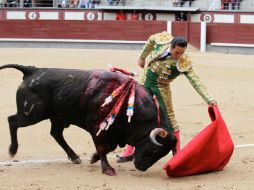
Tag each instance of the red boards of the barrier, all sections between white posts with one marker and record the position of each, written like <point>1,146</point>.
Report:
<point>124,30</point>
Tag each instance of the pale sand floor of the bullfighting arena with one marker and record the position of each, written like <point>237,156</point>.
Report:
<point>42,165</point>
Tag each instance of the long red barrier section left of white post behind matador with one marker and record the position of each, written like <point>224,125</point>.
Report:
<point>95,30</point>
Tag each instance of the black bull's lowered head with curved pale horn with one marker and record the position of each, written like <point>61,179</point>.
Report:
<point>154,148</point>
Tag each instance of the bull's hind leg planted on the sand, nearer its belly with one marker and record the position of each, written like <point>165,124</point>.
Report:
<point>57,128</point>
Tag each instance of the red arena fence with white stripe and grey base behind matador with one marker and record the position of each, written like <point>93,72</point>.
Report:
<point>125,34</point>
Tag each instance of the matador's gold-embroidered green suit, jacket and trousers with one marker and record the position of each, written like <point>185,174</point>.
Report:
<point>159,73</point>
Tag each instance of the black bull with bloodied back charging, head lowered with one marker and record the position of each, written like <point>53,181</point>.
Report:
<point>67,96</point>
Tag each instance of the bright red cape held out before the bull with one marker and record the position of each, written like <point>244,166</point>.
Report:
<point>208,151</point>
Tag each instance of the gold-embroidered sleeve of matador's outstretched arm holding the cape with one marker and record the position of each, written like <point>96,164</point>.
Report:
<point>198,86</point>
